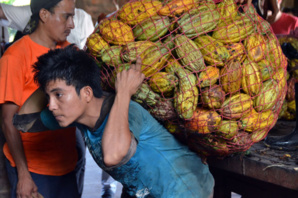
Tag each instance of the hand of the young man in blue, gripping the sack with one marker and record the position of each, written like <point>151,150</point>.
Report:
<point>128,81</point>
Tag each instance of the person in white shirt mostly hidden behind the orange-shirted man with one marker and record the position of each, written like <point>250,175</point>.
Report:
<point>17,17</point>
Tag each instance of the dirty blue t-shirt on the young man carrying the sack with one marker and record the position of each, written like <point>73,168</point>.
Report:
<point>161,166</point>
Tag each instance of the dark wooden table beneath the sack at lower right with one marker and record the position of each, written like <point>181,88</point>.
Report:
<point>263,172</point>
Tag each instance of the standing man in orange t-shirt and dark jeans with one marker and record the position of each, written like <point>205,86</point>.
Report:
<point>40,162</point>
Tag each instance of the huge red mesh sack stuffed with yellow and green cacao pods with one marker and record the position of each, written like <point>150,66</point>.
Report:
<point>215,76</point>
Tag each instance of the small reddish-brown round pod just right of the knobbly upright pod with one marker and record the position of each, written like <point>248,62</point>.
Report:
<point>213,97</point>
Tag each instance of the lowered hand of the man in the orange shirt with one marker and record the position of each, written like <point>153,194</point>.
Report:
<point>26,188</point>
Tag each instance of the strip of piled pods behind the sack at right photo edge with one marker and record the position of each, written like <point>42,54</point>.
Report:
<point>289,46</point>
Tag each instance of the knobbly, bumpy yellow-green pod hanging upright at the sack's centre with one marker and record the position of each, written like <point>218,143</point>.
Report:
<point>187,95</point>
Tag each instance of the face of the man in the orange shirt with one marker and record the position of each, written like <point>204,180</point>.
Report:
<point>60,21</point>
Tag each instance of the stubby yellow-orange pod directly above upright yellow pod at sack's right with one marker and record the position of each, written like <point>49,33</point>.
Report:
<point>255,46</point>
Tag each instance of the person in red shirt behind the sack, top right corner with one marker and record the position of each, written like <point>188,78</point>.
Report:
<point>281,23</point>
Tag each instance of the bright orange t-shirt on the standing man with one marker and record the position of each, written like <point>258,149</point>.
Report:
<point>48,153</point>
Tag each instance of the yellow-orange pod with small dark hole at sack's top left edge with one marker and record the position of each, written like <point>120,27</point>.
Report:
<point>135,12</point>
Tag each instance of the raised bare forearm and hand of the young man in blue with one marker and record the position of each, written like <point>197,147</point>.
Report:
<point>117,136</point>
